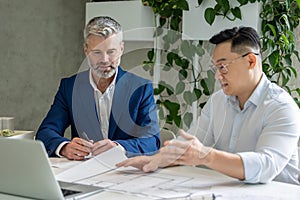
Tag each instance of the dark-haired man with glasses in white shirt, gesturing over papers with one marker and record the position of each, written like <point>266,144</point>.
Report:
<point>248,130</point>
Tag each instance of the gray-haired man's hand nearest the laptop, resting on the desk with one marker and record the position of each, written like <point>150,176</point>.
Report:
<point>76,149</point>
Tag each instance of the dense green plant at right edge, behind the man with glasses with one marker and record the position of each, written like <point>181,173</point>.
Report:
<point>279,19</point>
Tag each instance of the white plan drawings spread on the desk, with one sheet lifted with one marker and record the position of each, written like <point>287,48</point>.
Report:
<point>162,184</point>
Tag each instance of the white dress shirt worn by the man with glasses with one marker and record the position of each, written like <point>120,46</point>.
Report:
<point>265,133</point>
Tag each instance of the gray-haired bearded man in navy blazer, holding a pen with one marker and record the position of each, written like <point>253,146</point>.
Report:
<point>105,106</point>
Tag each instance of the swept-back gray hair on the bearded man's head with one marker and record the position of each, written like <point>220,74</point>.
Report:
<point>102,26</point>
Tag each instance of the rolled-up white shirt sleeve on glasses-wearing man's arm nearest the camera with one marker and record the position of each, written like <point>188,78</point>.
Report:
<point>275,147</point>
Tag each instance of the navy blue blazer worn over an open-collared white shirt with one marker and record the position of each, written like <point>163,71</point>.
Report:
<point>133,120</point>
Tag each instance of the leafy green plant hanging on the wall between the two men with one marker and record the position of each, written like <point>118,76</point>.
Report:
<point>177,99</point>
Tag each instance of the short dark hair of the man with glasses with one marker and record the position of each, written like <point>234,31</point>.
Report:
<point>241,38</point>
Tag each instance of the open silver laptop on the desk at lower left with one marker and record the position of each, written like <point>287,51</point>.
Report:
<point>25,171</point>
